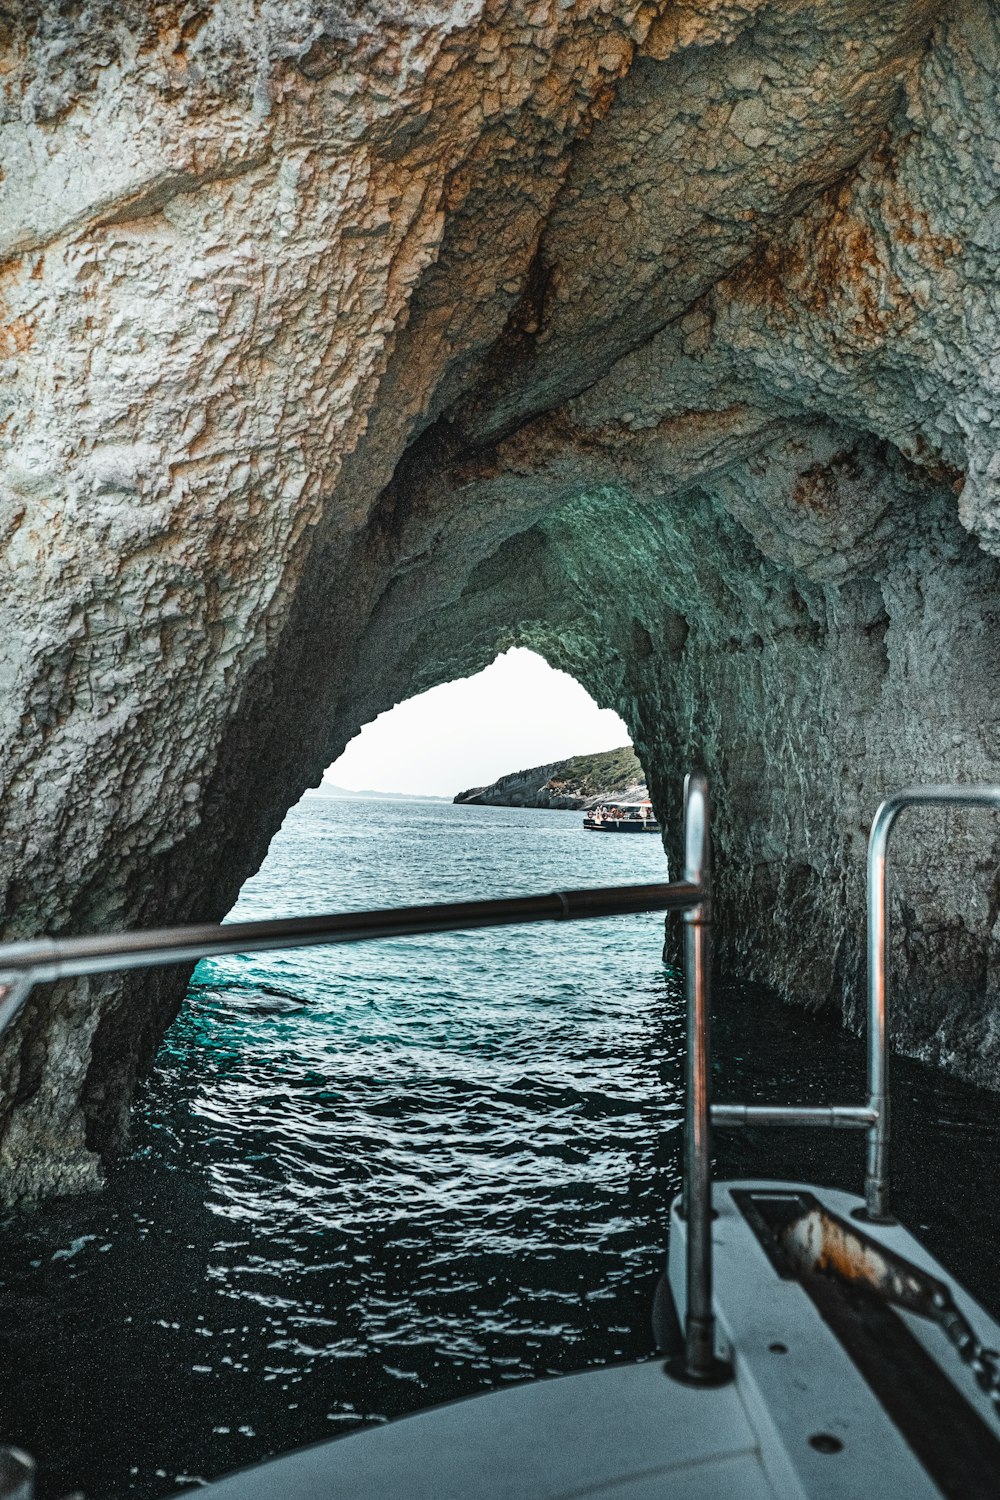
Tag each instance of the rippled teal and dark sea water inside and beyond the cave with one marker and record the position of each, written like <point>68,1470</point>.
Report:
<point>373,1178</point>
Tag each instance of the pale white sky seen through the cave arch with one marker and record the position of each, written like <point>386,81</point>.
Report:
<point>515,715</point>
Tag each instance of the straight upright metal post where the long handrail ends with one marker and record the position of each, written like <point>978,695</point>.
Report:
<point>698,1364</point>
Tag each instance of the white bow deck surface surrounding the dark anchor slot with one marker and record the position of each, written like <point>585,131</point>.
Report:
<point>798,1421</point>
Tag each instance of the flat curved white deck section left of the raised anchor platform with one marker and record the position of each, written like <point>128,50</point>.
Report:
<point>626,1433</point>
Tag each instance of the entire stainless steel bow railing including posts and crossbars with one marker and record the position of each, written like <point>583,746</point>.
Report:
<point>25,965</point>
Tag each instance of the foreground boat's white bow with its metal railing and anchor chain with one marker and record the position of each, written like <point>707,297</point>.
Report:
<point>809,1346</point>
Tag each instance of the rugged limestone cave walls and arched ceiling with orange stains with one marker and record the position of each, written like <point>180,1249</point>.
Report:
<point>347,344</point>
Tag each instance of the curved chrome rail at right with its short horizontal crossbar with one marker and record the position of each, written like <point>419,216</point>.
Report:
<point>875,1115</point>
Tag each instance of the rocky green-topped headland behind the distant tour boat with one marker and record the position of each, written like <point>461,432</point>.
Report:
<point>578,782</point>
